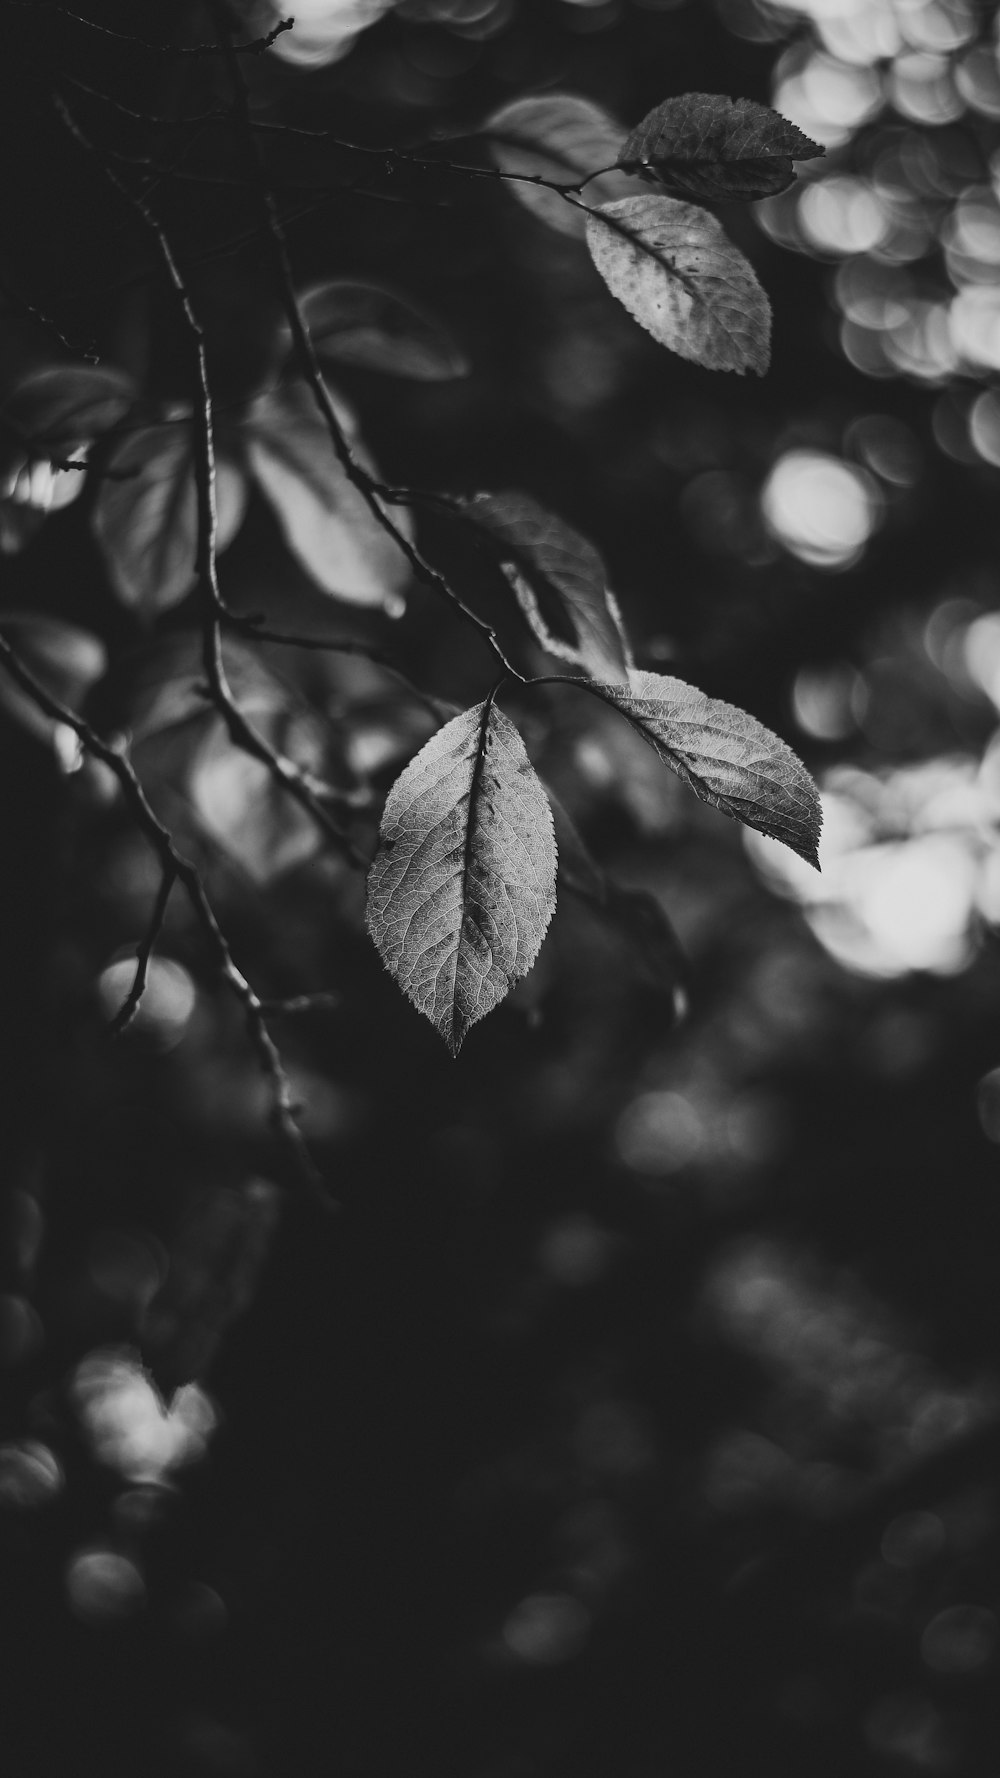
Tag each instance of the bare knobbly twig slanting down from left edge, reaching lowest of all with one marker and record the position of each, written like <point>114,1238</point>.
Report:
<point>175,863</point>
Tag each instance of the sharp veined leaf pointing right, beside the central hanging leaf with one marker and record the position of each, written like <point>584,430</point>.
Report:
<point>729,758</point>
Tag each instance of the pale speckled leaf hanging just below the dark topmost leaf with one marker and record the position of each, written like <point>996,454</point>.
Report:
<point>679,275</point>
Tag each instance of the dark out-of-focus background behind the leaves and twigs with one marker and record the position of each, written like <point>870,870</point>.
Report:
<point>641,1409</point>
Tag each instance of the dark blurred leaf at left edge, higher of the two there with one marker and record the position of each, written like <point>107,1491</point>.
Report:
<point>65,406</point>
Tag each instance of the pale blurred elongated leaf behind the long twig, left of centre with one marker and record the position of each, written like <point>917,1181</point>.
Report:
<point>327,522</point>
